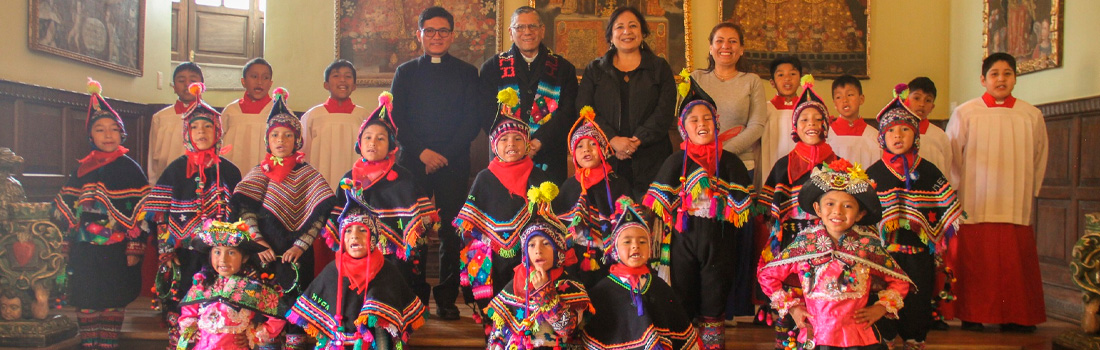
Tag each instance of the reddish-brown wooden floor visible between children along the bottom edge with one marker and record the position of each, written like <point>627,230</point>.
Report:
<point>144,331</point>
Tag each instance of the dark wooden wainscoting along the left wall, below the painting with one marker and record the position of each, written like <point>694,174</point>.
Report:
<point>46,127</point>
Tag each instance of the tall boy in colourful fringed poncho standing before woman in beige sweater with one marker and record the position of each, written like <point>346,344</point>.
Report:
<point>702,194</point>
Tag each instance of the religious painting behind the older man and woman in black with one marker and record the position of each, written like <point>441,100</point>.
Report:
<point>576,29</point>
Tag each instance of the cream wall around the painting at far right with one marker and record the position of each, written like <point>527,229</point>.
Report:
<point>1080,75</point>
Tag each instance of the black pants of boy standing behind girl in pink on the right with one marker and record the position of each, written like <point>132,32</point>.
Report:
<point>915,320</point>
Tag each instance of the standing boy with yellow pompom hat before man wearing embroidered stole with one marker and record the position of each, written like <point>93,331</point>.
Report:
<point>499,207</point>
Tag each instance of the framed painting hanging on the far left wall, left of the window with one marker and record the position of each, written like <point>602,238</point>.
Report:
<point>111,35</point>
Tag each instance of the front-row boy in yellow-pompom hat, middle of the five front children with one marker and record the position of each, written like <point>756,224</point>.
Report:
<point>542,305</point>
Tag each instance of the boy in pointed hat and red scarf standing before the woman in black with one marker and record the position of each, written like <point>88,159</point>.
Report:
<point>587,200</point>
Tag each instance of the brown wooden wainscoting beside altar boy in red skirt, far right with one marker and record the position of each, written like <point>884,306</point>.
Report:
<point>1071,190</point>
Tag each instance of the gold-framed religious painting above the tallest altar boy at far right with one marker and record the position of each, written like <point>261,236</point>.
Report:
<point>1029,30</point>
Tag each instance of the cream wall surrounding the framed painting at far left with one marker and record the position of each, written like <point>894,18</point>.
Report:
<point>21,64</point>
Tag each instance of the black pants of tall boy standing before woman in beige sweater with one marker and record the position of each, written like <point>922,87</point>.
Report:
<point>702,266</point>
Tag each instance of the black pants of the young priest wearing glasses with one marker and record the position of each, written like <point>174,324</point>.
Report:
<point>449,185</point>
